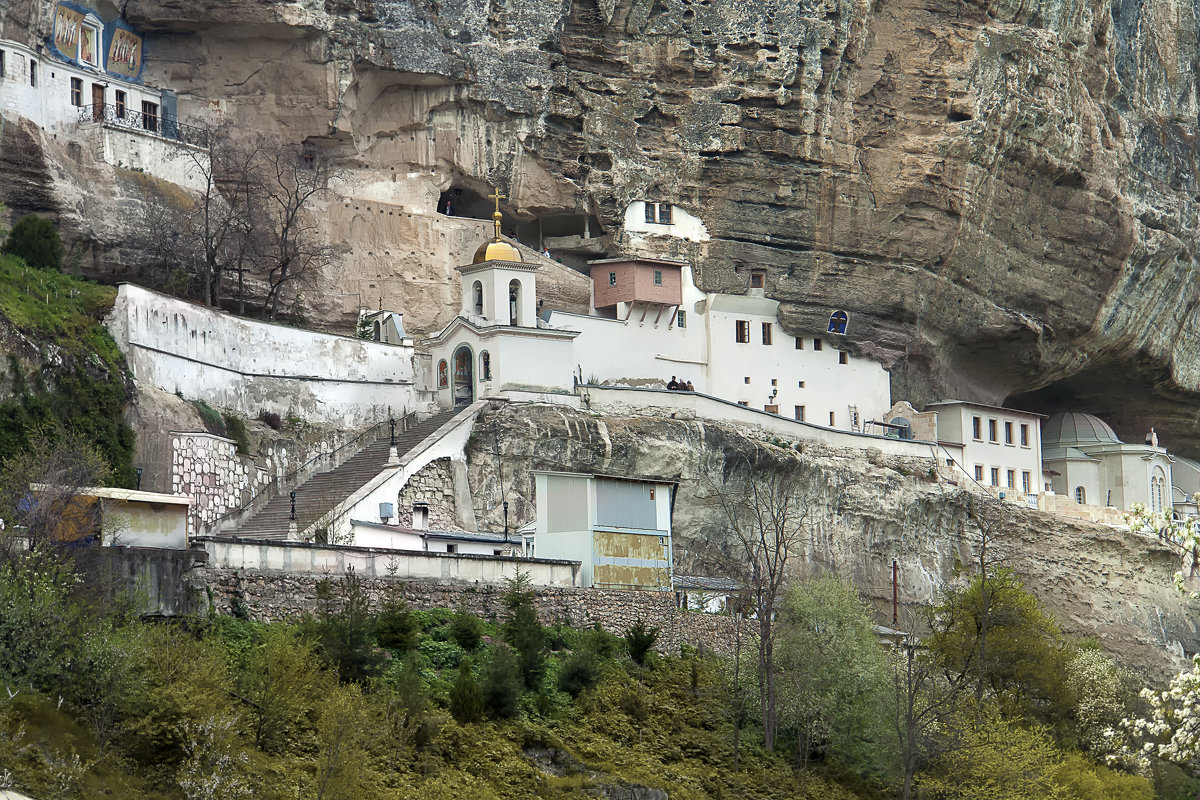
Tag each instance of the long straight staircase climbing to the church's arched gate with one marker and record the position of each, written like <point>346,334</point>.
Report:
<point>322,492</point>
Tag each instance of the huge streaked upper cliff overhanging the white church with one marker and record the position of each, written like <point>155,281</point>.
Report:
<point>1003,195</point>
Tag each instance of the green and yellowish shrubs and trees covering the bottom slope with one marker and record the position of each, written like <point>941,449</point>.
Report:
<point>379,701</point>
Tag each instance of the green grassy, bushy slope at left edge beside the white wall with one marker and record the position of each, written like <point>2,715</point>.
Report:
<point>79,386</point>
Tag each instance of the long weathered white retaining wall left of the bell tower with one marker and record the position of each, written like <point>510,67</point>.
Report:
<point>249,366</point>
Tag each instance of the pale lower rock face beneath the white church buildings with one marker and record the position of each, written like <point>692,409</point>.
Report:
<point>868,510</point>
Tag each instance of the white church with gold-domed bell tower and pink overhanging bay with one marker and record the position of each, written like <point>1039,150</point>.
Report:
<point>649,323</point>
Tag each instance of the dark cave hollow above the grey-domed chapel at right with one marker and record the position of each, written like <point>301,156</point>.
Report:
<point>1132,398</point>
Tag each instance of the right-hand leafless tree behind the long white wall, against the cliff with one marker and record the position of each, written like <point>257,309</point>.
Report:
<point>293,177</point>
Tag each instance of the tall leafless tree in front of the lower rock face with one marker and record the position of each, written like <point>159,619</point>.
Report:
<point>763,503</point>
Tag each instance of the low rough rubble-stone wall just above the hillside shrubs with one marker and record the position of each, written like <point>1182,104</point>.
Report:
<point>272,597</point>
